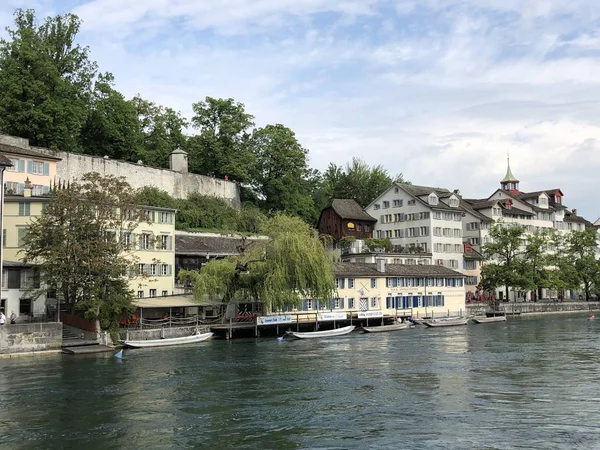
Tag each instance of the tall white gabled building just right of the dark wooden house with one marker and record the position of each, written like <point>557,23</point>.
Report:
<point>425,219</point>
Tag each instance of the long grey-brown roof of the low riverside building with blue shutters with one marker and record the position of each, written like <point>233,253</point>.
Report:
<point>397,270</point>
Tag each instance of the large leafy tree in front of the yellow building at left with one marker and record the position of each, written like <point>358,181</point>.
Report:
<point>80,246</point>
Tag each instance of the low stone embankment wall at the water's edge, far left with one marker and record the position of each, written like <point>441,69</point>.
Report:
<point>30,337</point>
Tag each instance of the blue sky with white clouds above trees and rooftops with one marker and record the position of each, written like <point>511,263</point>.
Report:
<point>438,90</point>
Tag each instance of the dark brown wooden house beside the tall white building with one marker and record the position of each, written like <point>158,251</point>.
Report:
<point>345,217</point>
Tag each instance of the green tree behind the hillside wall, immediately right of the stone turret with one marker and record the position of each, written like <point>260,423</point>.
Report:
<point>223,146</point>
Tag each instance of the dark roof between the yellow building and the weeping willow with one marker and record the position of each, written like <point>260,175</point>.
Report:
<point>212,244</point>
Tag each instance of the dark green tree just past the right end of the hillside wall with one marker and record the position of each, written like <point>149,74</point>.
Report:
<point>281,177</point>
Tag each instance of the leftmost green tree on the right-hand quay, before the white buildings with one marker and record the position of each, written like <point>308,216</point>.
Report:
<point>503,253</point>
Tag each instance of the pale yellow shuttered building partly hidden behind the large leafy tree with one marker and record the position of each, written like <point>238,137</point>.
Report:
<point>152,243</point>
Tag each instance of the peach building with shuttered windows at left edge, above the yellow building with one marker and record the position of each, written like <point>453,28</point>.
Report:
<point>28,164</point>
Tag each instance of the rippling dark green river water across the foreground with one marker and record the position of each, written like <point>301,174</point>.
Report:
<point>527,383</point>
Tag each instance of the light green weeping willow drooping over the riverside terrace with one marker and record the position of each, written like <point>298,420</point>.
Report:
<point>278,272</point>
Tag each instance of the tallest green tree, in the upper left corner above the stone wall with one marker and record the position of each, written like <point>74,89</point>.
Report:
<point>45,81</point>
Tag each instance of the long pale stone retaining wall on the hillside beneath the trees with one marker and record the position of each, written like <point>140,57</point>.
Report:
<point>177,184</point>
